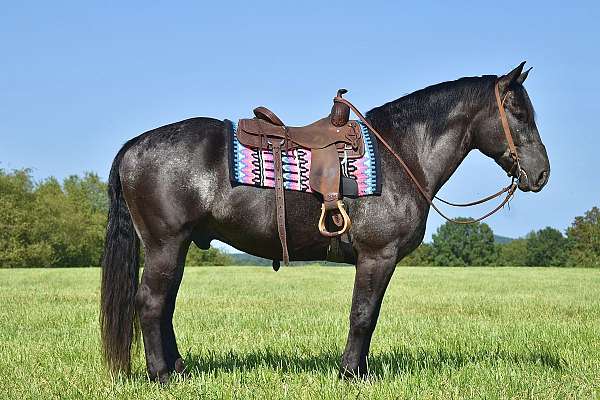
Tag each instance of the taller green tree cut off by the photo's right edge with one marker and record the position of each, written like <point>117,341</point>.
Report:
<point>584,240</point>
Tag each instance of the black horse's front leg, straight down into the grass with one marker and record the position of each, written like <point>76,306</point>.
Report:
<point>373,273</point>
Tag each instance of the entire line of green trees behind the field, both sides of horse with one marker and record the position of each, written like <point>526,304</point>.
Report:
<point>62,224</point>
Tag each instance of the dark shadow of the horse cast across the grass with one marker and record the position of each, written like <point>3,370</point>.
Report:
<point>399,361</point>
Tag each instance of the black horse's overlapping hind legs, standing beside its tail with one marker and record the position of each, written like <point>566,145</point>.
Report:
<point>155,303</point>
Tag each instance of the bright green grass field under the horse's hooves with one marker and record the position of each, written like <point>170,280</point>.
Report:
<point>253,333</point>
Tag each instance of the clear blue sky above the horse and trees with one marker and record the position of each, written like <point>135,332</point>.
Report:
<point>77,79</point>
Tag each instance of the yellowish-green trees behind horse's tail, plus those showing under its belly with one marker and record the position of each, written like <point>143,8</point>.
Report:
<point>61,224</point>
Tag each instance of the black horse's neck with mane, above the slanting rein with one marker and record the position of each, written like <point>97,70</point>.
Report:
<point>432,138</point>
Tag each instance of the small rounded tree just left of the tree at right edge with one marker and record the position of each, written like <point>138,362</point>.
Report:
<point>546,248</point>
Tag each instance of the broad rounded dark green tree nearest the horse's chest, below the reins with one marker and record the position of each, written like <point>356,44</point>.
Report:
<point>464,244</point>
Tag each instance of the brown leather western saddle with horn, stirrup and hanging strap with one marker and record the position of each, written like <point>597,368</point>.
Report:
<point>329,139</point>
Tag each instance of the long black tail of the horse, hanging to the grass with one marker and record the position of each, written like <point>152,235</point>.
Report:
<point>120,268</point>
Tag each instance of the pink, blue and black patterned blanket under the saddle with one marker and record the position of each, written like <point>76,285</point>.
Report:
<point>254,167</point>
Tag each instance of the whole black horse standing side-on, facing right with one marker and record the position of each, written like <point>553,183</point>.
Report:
<point>170,186</point>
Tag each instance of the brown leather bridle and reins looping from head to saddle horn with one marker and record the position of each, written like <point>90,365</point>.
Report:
<point>509,190</point>
